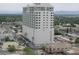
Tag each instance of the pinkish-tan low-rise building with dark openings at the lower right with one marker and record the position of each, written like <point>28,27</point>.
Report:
<point>58,47</point>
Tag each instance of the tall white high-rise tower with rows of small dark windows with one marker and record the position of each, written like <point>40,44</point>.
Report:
<point>38,21</point>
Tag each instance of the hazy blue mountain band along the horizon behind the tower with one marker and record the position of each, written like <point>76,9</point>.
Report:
<point>60,13</point>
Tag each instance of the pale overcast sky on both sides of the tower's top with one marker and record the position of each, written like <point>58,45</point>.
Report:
<point>17,7</point>
